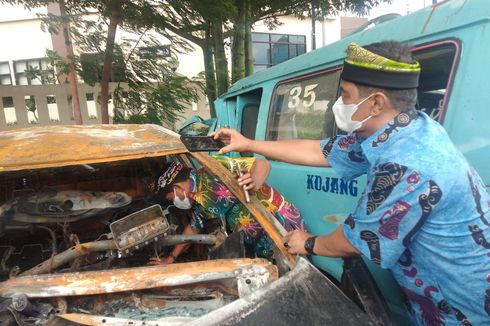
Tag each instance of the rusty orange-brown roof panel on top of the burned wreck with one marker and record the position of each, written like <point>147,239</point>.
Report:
<point>53,146</point>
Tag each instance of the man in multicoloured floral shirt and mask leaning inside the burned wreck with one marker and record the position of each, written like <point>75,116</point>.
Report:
<point>210,199</point>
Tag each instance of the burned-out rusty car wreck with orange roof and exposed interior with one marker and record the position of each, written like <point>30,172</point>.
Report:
<point>79,221</point>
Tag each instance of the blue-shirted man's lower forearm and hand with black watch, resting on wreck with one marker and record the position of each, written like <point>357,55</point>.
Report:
<point>334,244</point>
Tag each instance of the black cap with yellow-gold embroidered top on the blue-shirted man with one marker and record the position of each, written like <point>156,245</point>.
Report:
<point>367,68</point>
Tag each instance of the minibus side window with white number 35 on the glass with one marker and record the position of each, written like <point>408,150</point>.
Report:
<point>301,108</point>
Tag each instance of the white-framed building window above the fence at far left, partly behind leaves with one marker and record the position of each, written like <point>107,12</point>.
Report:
<point>33,72</point>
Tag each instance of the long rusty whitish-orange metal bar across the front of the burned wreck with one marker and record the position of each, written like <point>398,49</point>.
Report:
<point>138,278</point>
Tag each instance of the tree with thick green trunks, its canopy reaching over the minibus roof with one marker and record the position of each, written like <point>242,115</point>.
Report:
<point>207,23</point>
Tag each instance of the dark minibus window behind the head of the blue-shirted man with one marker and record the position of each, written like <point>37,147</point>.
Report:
<point>437,62</point>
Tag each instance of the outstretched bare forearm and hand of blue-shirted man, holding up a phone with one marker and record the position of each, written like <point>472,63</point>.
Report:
<point>304,152</point>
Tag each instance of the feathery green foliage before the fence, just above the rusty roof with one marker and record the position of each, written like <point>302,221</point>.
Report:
<point>155,93</point>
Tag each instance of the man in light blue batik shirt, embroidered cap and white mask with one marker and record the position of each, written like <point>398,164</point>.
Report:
<point>424,213</point>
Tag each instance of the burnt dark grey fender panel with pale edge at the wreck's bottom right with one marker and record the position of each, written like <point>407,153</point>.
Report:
<point>303,296</point>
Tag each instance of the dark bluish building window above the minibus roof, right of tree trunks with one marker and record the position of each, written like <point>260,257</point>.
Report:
<point>272,49</point>
